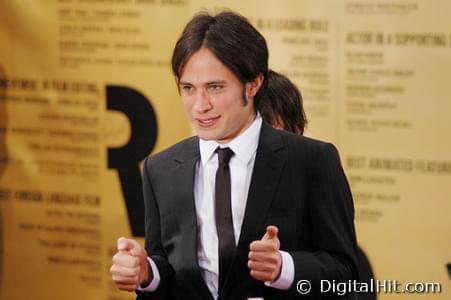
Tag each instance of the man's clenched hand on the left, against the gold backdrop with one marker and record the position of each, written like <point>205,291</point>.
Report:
<point>130,267</point>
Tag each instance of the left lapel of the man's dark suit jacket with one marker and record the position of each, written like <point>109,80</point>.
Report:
<point>184,174</point>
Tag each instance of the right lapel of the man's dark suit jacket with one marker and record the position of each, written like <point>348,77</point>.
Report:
<point>265,177</point>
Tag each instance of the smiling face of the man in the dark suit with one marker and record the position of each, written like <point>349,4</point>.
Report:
<point>213,98</point>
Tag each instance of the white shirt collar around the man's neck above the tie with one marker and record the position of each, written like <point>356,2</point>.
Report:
<point>244,145</point>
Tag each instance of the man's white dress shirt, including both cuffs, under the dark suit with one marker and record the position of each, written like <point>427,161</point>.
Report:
<point>241,165</point>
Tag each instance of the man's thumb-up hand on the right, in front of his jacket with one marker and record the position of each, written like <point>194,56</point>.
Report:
<point>265,261</point>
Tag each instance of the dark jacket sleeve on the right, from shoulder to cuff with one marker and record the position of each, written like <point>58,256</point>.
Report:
<point>331,211</point>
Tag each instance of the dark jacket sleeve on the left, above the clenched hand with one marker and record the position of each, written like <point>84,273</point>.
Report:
<point>153,242</point>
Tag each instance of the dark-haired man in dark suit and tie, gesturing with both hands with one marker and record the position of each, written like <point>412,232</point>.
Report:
<point>242,210</point>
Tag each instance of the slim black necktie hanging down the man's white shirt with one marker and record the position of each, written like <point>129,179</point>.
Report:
<point>223,214</point>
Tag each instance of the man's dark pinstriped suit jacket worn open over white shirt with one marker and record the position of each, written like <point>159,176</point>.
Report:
<point>297,184</point>
